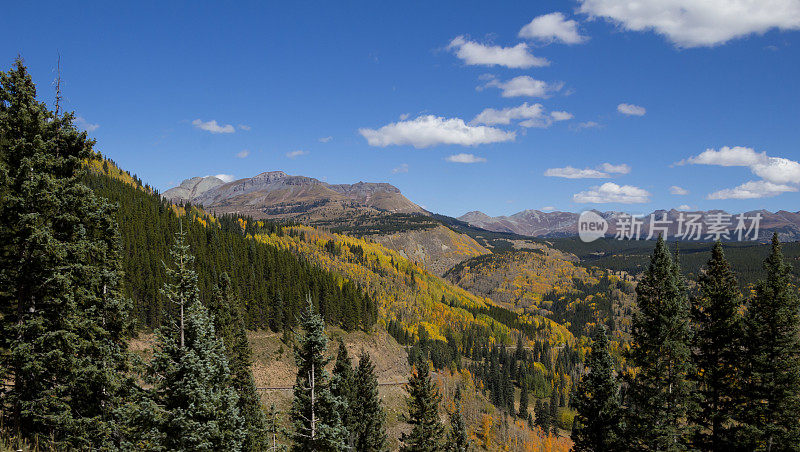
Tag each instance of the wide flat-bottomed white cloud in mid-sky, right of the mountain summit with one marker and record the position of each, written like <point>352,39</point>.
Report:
<point>429,130</point>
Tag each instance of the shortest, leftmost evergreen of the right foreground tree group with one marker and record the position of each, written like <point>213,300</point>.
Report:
<point>597,422</point>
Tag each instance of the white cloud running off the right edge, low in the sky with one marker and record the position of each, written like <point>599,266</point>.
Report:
<point>777,170</point>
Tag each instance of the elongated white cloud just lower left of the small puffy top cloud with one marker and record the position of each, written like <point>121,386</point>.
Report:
<point>477,54</point>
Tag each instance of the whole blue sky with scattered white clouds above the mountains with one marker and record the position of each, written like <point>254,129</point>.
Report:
<point>616,105</point>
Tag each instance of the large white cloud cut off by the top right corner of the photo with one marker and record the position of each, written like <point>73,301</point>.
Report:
<point>696,23</point>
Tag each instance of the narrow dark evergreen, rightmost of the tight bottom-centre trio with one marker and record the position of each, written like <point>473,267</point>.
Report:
<point>369,416</point>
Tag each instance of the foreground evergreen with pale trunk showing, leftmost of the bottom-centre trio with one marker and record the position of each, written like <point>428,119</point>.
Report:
<point>315,410</point>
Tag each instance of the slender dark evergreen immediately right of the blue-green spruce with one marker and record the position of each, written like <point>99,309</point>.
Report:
<point>229,325</point>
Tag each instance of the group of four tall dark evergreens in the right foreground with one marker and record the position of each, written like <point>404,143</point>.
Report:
<point>709,370</point>
